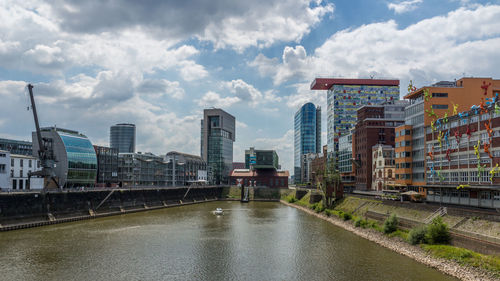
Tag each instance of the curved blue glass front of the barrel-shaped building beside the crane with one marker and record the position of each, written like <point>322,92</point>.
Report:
<point>82,160</point>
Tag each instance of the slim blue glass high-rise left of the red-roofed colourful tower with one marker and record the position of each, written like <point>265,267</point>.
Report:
<point>307,124</point>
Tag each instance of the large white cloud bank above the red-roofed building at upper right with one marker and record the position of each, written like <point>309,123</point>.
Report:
<point>438,48</point>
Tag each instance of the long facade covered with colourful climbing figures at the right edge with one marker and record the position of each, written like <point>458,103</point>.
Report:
<point>463,156</point>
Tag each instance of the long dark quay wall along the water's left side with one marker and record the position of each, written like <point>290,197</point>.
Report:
<point>31,209</point>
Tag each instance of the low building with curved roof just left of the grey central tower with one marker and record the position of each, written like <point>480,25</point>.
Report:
<point>194,169</point>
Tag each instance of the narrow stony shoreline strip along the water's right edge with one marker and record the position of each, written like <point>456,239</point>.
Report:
<point>446,266</point>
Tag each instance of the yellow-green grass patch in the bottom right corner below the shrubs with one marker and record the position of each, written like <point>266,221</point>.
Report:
<point>465,257</point>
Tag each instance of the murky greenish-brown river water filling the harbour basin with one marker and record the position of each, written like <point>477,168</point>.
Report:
<point>253,241</point>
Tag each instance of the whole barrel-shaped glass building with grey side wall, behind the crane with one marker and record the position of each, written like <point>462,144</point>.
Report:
<point>76,160</point>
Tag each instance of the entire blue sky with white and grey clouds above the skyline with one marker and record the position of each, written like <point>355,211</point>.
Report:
<point>158,64</point>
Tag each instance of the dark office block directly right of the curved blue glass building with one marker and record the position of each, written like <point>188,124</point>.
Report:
<point>107,166</point>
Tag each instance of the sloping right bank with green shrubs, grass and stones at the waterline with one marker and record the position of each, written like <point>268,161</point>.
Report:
<point>432,240</point>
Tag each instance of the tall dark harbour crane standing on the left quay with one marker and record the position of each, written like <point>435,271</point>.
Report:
<point>45,151</point>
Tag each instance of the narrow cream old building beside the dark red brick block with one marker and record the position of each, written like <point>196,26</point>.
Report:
<point>383,167</point>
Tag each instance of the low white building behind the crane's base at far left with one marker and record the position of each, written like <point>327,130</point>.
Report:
<point>20,166</point>
